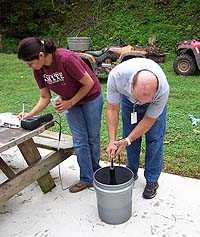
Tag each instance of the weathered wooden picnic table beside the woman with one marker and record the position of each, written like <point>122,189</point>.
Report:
<point>38,167</point>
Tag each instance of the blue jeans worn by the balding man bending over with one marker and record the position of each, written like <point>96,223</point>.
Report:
<point>154,139</point>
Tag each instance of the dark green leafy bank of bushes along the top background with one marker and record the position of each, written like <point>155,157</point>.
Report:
<point>104,21</point>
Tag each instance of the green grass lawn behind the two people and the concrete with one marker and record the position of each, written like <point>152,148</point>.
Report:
<point>182,141</point>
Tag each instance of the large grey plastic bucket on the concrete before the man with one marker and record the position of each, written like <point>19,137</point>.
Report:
<point>114,202</point>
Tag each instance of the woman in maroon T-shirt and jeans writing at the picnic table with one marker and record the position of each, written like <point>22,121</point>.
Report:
<point>63,72</point>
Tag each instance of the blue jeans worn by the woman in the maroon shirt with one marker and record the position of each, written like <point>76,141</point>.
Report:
<point>85,122</point>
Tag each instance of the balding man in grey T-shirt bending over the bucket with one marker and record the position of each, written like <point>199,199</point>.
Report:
<point>141,87</point>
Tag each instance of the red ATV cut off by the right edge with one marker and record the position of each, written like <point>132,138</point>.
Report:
<point>187,61</point>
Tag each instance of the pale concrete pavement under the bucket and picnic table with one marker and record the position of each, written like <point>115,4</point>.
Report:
<point>174,212</point>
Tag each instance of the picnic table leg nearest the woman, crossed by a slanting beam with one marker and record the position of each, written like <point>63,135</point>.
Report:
<point>31,155</point>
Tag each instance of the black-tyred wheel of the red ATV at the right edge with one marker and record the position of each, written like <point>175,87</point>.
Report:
<point>185,65</point>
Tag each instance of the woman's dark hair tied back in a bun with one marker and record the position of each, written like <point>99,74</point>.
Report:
<point>29,48</point>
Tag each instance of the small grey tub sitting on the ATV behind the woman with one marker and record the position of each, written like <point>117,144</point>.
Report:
<point>78,43</point>
